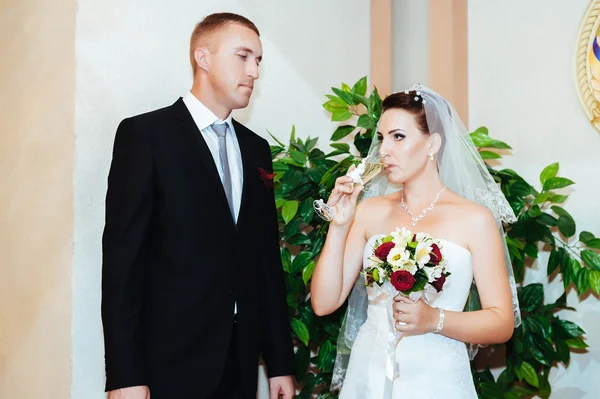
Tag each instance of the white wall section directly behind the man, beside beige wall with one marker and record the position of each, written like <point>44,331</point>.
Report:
<point>132,57</point>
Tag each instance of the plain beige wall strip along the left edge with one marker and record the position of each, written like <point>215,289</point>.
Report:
<point>37,76</point>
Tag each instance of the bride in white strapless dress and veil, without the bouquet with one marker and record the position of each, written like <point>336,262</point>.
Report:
<point>447,192</point>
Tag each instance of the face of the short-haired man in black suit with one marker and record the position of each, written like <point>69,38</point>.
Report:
<point>233,65</point>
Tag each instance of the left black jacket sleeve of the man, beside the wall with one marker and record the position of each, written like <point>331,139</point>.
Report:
<point>128,210</point>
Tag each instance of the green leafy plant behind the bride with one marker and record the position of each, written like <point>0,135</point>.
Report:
<point>304,173</point>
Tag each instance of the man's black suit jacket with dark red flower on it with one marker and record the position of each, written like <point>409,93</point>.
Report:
<point>175,262</point>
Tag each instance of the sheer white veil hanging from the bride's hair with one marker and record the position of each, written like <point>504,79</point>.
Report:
<point>463,171</point>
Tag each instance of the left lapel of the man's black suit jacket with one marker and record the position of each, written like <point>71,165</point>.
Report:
<point>198,150</point>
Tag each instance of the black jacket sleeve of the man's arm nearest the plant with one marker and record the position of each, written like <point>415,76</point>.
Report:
<point>277,347</point>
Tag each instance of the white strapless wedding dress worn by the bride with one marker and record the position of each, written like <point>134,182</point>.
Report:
<point>431,366</point>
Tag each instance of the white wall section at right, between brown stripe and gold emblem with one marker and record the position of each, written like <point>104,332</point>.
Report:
<point>522,86</point>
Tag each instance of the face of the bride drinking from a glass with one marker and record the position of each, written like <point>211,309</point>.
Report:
<point>404,148</point>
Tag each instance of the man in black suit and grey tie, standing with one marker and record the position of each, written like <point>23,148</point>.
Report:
<point>192,283</point>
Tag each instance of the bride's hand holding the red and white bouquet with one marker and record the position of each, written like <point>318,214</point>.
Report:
<point>414,318</point>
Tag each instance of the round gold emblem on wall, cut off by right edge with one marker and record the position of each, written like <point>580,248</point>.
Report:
<point>587,63</point>
